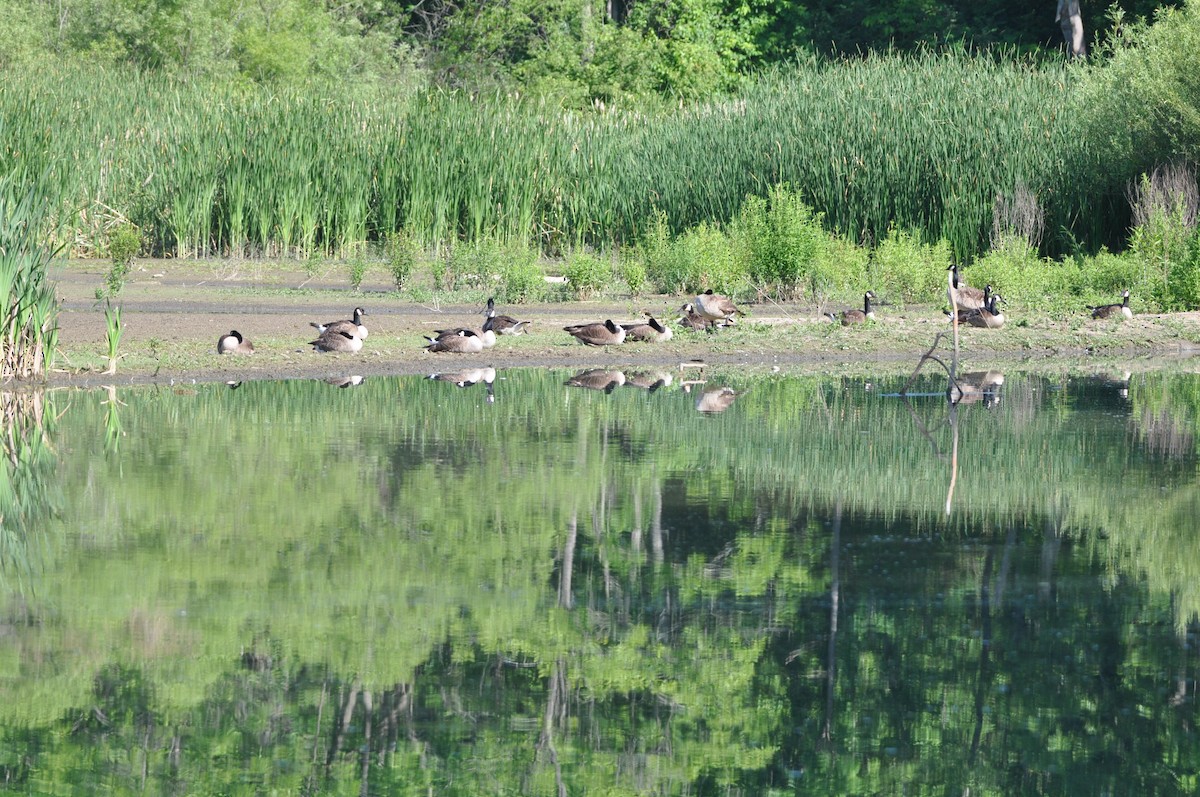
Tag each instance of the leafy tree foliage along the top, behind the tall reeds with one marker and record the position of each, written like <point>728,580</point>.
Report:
<point>577,51</point>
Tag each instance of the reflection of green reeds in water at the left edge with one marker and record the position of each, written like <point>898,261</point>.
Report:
<point>28,492</point>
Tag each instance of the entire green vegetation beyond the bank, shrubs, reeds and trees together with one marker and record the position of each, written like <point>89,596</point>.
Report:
<point>533,130</point>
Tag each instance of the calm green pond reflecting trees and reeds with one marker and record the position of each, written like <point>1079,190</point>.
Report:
<point>694,582</point>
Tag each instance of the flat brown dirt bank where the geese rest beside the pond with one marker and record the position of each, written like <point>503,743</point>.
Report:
<point>175,311</point>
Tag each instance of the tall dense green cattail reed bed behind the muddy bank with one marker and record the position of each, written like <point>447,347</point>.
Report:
<point>928,143</point>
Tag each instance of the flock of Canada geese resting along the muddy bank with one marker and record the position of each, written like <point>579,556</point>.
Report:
<point>709,311</point>
